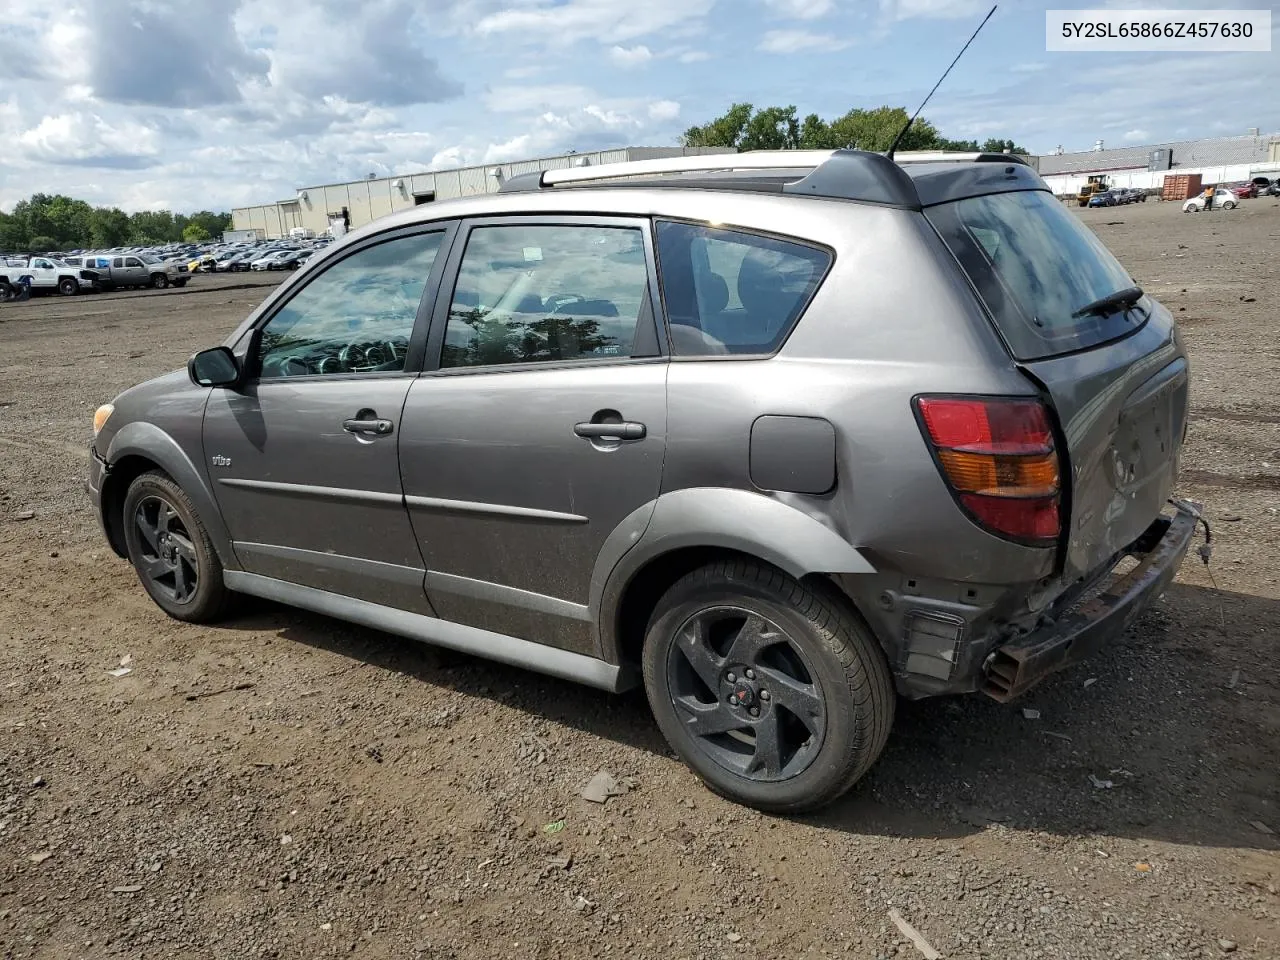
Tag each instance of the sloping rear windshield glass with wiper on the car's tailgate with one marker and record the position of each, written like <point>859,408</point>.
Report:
<point>1035,267</point>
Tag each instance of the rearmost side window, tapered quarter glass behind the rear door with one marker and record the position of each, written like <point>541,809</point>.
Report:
<point>734,292</point>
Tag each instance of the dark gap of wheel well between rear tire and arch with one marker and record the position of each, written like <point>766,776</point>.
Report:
<point>657,577</point>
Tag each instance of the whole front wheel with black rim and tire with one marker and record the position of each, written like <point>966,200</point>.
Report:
<point>171,551</point>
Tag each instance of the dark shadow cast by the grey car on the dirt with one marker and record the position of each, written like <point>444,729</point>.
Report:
<point>1172,734</point>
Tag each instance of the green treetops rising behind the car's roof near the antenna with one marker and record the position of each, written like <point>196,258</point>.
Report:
<point>746,127</point>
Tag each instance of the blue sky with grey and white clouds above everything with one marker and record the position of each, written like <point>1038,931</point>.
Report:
<point>223,103</point>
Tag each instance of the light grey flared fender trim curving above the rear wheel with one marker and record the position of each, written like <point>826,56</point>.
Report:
<point>712,516</point>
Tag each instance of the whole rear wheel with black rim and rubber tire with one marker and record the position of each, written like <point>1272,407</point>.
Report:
<point>776,696</point>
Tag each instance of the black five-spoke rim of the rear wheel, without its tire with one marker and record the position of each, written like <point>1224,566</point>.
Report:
<point>746,694</point>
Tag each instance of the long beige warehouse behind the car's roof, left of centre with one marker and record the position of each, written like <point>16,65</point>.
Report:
<point>355,204</point>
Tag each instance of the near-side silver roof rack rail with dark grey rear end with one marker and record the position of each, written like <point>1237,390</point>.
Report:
<point>838,175</point>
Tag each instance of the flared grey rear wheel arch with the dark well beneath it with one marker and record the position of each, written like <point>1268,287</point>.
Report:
<point>687,529</point>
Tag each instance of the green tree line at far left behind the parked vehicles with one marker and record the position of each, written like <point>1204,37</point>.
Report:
<point>47,223</point>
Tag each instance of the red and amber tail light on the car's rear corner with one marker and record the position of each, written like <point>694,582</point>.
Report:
<point>999,459</point>
